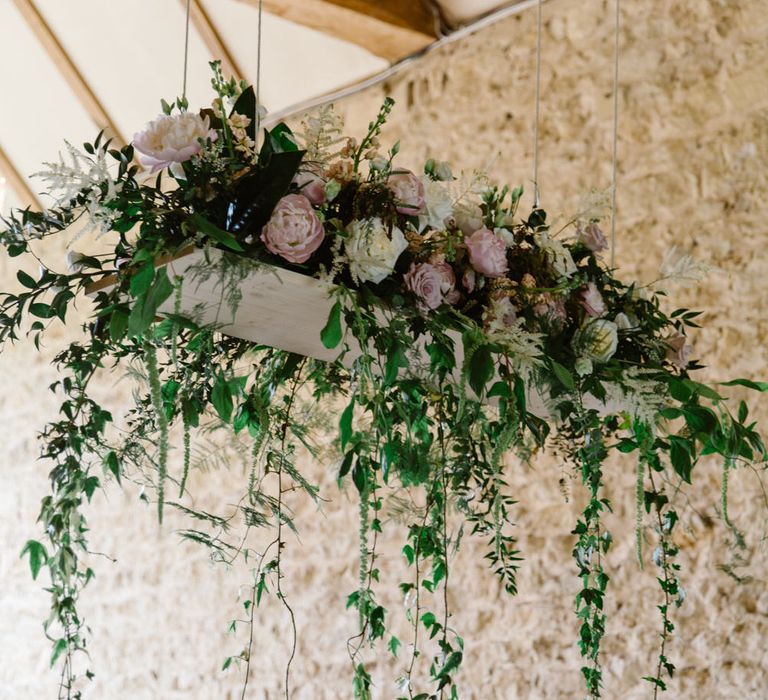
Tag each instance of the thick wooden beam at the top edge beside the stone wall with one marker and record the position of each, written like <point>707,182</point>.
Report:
<point>373,25</point>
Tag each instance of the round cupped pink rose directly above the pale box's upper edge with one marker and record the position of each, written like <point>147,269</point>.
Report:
<point>293,232</point>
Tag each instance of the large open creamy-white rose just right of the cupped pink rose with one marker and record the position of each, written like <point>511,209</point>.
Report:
<point>373,250</point>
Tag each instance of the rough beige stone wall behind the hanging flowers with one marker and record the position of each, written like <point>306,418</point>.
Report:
<point>693,164</point>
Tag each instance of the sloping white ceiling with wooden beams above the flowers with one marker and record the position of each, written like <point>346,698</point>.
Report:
<point>68,69</point>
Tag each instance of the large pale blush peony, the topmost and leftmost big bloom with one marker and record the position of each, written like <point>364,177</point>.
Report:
<point>170,140</point>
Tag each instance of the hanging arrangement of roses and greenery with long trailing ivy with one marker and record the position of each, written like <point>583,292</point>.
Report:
<point>466,338</point>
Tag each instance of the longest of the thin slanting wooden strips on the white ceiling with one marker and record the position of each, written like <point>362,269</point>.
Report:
<point>67,68</point>
